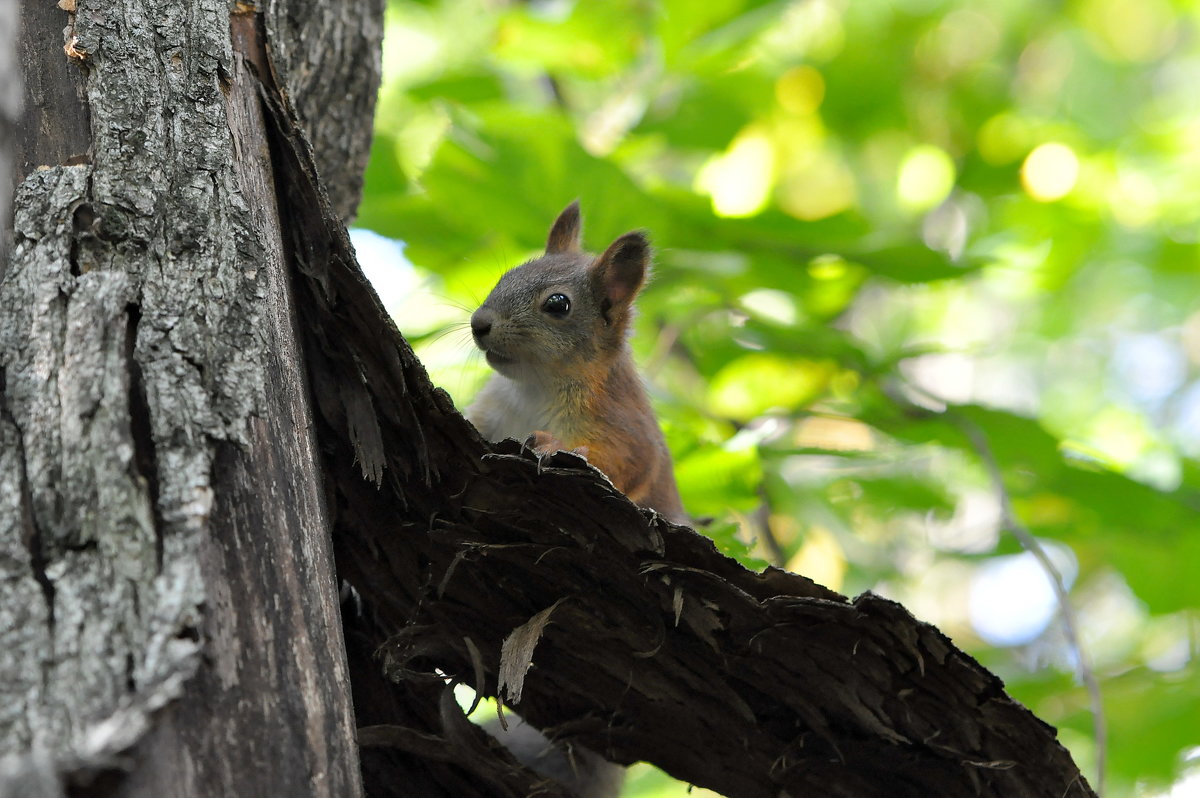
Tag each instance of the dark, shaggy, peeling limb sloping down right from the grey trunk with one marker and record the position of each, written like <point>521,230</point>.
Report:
<point>658,649</point>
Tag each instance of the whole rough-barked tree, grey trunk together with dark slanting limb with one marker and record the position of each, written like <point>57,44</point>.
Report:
<point>200,394</point>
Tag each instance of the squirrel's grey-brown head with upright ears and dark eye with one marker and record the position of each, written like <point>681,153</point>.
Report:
<point>566,309</point>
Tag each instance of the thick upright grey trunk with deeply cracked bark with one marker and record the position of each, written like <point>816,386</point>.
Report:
<point>170,610</point>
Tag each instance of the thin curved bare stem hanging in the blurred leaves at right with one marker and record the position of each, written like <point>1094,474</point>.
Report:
<point>1070,623</point>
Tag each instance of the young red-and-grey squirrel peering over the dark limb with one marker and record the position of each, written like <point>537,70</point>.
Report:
<point>556,332</point>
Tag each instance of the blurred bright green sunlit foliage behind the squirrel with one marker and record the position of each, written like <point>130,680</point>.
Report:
<point>877,223</point>
